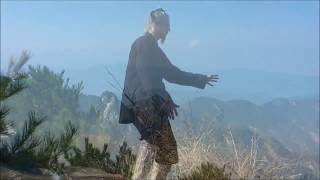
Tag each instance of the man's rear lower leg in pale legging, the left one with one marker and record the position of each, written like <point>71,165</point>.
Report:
<point>145,158</point>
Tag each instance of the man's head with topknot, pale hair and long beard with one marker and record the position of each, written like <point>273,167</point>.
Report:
<point>158,24</point>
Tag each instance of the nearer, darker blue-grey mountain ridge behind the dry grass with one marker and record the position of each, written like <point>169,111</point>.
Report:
<point>292,124</point>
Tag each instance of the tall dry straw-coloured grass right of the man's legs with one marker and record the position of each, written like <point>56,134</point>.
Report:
<point>199,146</point>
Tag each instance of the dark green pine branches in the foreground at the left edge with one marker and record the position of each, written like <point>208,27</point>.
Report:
<point>24,150</point>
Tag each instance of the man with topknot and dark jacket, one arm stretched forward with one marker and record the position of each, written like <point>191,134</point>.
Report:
<point>147,104</point>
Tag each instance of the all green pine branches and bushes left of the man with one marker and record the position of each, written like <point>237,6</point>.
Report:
<point>28,151</point>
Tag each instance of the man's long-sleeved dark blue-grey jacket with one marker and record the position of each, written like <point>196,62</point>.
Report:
<point>147,67</point>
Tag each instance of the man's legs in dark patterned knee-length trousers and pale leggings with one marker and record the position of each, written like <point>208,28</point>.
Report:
<point>158,136</point>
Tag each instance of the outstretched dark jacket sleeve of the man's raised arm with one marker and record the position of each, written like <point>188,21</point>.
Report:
<point>173,74</point>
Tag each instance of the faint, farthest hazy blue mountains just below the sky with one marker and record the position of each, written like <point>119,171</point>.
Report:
<point>257,86</point>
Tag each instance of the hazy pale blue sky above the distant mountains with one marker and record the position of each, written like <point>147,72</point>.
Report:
<point>269,36</point>
